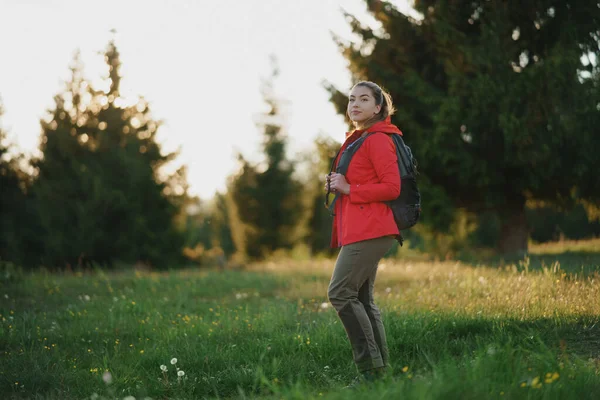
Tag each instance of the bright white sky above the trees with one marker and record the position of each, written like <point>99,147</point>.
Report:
<point>198,62</point>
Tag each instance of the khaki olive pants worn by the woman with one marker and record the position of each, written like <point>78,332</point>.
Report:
<point>351,294</point>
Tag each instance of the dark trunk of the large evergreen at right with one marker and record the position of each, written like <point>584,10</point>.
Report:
<point>514,234</point>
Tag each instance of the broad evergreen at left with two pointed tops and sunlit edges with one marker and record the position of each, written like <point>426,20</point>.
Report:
<point>99,191</point>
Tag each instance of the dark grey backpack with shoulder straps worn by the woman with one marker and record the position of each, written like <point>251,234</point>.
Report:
<point>406,207</point>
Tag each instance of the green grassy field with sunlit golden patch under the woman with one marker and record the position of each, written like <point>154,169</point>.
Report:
<point>456,330</point>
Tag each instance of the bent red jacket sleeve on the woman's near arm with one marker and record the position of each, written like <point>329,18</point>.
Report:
<point>382,153</point>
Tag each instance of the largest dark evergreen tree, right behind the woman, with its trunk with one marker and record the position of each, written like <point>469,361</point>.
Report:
<point>494,99</point>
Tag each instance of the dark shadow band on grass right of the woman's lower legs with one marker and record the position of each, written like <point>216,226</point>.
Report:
<point>414,335</point>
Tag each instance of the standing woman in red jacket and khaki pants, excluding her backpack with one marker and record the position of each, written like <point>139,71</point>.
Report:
<point>364,226</point>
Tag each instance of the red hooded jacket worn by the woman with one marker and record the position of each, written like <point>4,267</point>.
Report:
<point>374,178</point>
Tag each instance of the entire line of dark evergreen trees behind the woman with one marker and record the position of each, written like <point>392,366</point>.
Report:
<point>500,105</point>
